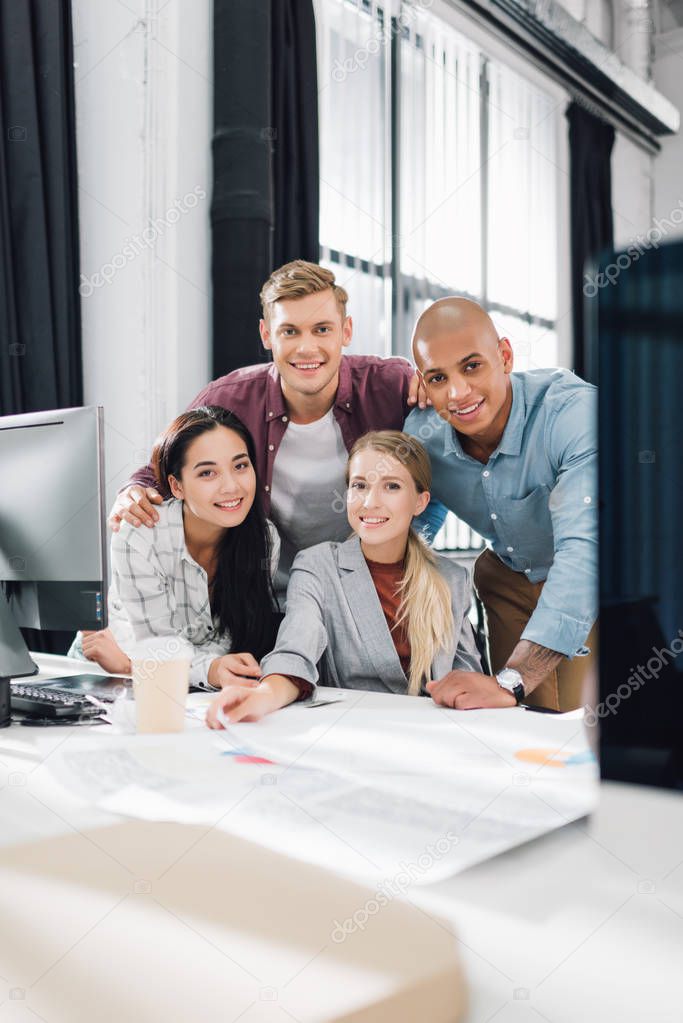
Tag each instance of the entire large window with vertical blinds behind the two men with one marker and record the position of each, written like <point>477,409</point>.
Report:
<point>439,176</point>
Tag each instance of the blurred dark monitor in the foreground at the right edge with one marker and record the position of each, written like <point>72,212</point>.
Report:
<point>636,358</point>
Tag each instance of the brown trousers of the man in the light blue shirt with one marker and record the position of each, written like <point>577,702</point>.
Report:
<point>510,600</point>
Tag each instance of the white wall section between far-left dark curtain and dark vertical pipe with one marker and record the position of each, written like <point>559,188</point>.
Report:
<point>144,108</point>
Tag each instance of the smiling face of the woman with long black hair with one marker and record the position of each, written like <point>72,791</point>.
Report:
<point>217,481</point>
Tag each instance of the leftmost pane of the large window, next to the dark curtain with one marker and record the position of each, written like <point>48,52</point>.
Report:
<point>354,59</point>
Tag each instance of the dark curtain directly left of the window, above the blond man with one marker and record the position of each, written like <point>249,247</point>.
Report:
<point>296,171</point>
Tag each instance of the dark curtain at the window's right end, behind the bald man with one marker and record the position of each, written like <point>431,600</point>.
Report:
<point>591,142</point>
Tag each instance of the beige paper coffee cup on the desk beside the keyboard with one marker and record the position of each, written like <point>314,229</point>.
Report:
<point>161,682</point>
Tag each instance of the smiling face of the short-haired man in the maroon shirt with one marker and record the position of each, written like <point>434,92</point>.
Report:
<point>306,337</point>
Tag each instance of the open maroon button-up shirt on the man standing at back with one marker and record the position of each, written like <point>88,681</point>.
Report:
<point>373,395</point>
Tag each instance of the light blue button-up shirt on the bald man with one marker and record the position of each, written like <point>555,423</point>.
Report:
<point>535,502</point>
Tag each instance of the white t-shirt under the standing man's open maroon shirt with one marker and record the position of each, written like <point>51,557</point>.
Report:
<point>308,492</point>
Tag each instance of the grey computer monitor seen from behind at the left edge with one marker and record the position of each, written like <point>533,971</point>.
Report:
<point>53,533</point>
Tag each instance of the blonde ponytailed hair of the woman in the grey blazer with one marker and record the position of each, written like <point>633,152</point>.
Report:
<point>426,597</point>
